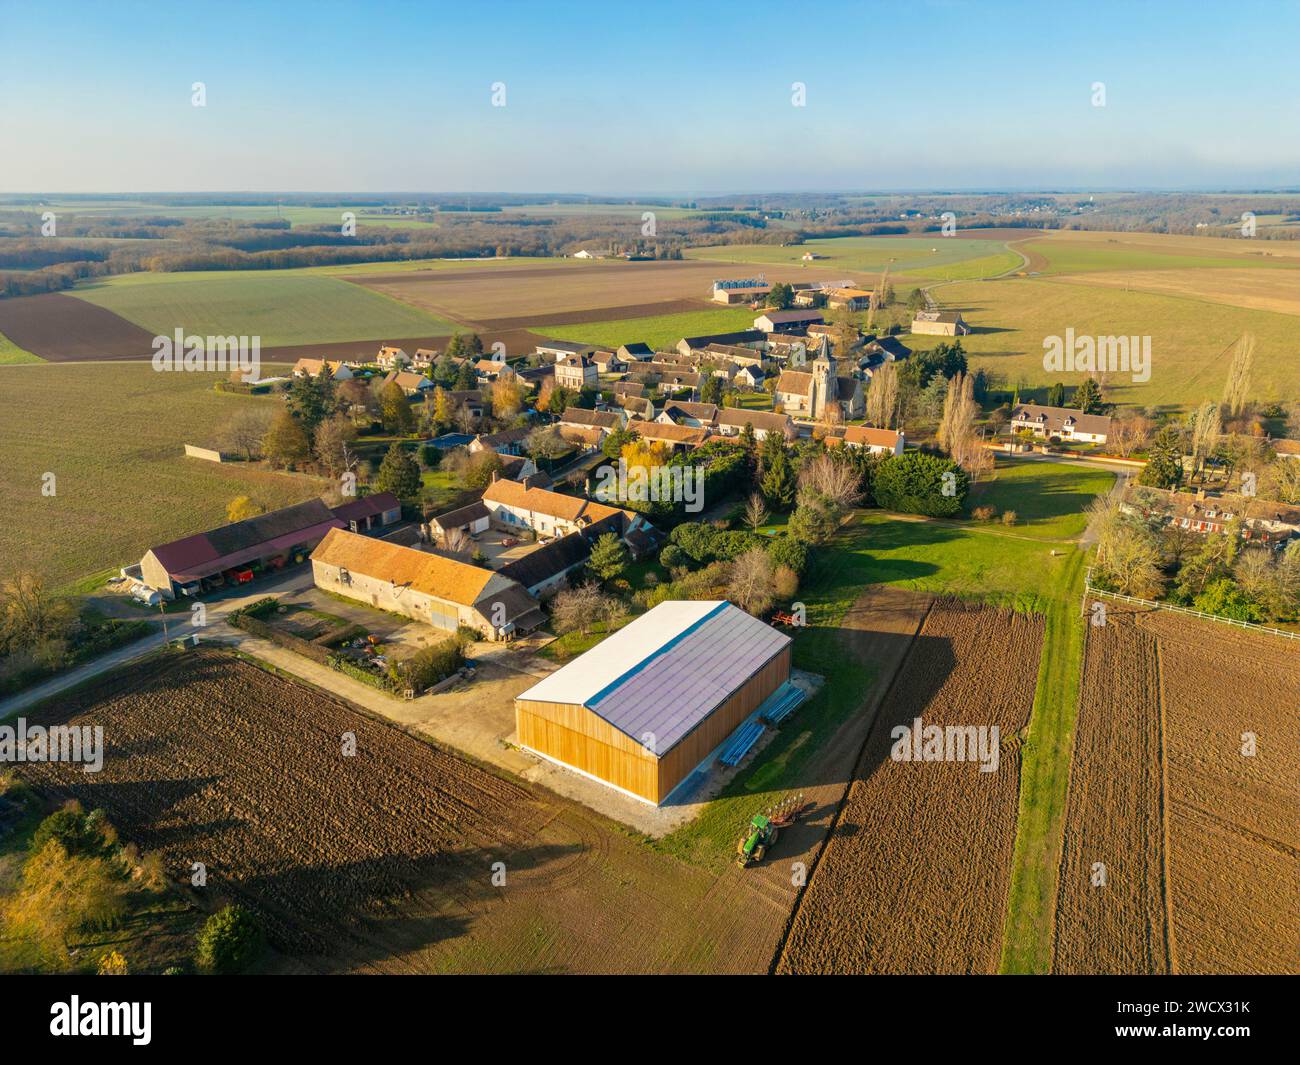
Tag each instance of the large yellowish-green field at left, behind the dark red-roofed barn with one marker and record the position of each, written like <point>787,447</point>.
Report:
<point>114,436</point>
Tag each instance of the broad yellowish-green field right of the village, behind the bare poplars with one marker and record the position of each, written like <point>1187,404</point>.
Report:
<point>1012,318</point>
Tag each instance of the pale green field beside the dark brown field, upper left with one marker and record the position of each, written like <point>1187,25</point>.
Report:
<point>283,308</point>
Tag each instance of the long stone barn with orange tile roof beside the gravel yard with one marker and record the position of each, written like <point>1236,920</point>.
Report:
<point>427,587</point>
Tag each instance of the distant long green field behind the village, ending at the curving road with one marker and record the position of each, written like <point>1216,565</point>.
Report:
<point>928,258</point>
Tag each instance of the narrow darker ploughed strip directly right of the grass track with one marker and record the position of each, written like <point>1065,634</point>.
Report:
<point>1117,924</point>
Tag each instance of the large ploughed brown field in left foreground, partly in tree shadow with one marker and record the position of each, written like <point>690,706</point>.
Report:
<point>384,861</point>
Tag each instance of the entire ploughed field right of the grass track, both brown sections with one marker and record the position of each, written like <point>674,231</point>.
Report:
<point>1199,839</point>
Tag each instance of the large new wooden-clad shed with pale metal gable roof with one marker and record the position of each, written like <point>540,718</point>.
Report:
<point>643,709</point>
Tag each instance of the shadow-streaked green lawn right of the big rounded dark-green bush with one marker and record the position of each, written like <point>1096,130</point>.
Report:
<point>1050,499</point>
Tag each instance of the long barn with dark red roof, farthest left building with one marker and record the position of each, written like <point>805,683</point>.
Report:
<point>265,544</point>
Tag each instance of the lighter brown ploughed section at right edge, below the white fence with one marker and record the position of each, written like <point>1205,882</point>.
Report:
<point>1234,856</point>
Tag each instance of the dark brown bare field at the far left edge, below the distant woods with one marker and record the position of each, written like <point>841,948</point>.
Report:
<point>64,330</point>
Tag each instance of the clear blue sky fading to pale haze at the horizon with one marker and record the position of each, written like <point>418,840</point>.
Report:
<point>616,98</point>
